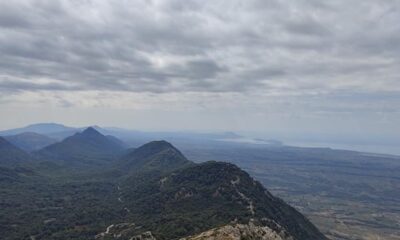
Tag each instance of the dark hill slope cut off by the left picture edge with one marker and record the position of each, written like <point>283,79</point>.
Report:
<point>10,155</point>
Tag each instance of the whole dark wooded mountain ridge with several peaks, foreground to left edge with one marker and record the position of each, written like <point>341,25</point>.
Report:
<point>89,186</point>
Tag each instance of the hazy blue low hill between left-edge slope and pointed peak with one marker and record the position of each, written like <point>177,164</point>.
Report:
<point>30,141</point>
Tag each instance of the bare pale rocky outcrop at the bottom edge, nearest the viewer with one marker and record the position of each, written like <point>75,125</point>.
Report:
<point>241,231</point>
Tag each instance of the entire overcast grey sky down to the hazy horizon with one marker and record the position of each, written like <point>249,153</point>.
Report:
<point>292,67</point>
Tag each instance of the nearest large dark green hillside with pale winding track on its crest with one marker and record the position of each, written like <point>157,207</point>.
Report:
<point>205,196</point>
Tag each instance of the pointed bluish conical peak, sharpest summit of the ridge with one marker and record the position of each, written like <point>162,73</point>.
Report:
<point>86,147</point>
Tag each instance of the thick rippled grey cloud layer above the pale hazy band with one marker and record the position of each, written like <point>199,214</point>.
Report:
<point>211,46</point>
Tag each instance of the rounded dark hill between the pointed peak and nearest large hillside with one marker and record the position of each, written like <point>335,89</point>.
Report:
<point>156,155</point>
